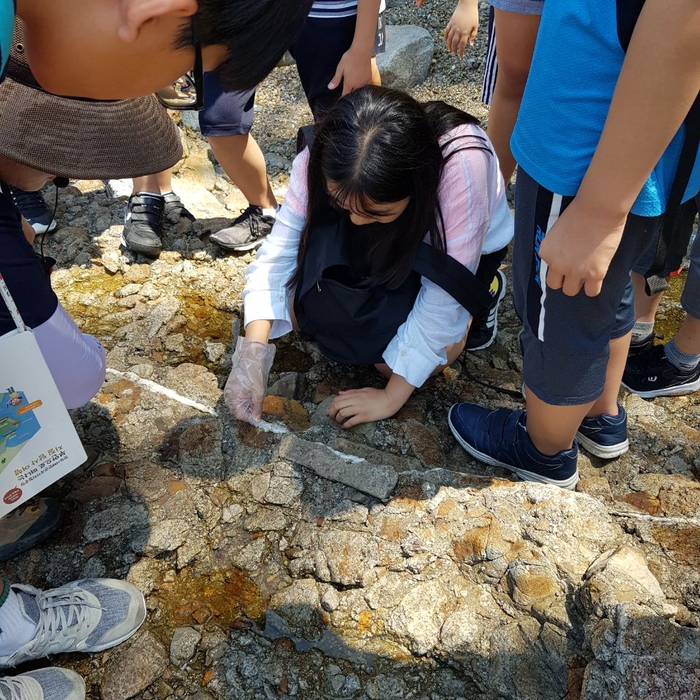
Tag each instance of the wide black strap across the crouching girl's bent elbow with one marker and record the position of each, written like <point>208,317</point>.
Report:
<point>459,282</point>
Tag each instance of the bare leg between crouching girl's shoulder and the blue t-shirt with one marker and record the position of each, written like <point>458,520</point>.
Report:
<point>515,42</point>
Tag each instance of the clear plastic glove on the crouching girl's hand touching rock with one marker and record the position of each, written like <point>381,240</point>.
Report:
<point>245,388</point>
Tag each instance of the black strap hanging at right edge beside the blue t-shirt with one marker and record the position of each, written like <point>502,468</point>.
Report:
<point>677,225</point>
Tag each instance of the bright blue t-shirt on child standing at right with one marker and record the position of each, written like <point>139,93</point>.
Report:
<point>574,71</point>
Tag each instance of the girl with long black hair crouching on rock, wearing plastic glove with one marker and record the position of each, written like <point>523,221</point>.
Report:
<point>394,204</point>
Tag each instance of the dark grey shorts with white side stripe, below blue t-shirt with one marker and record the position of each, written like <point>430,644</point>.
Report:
<point>565,339</point>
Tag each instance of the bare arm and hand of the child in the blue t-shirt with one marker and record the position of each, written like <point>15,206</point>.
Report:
<point>653,95</point>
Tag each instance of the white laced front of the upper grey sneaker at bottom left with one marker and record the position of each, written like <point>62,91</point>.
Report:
<point>65,617</point>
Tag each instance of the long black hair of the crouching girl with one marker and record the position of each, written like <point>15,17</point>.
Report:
<point>379,145</point>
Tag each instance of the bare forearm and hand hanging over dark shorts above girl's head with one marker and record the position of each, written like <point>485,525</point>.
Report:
<point>355,67</point>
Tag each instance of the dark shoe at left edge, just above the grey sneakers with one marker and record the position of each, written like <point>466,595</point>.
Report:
<point>27,525</point>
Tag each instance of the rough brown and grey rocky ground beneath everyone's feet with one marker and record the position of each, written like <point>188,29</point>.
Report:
<point>265,578</point>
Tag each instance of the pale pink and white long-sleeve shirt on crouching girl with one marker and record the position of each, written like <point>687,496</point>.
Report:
<point>477,220</point>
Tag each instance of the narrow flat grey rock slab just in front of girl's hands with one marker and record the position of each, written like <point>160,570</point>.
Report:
<point>376,480</point>
